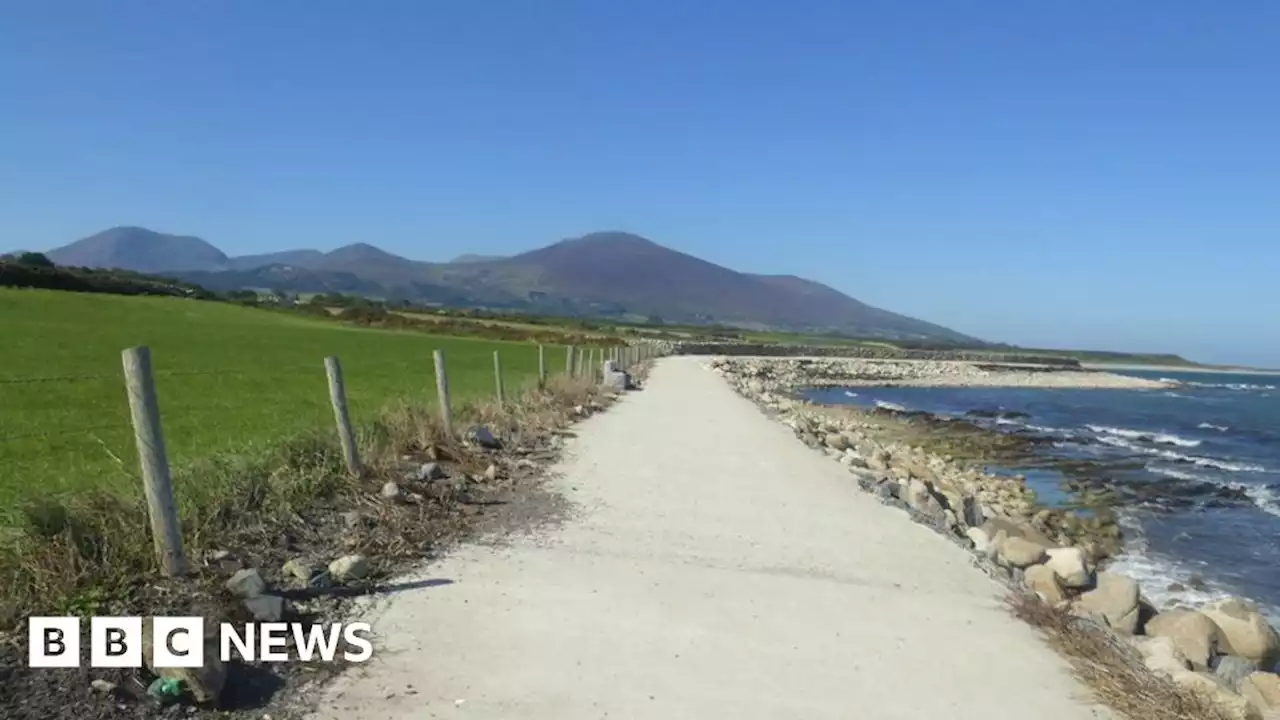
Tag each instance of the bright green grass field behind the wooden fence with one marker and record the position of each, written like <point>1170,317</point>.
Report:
<point>228,380</point>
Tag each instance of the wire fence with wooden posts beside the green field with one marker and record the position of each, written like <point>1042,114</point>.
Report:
<point>144,421</point>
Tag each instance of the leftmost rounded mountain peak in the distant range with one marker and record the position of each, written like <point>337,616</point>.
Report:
<point>140,249</point>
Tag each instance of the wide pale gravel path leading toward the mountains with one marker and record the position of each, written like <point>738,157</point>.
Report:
<point>714,568</point>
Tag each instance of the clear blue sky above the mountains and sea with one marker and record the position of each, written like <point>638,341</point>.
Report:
<point>1054,174</point>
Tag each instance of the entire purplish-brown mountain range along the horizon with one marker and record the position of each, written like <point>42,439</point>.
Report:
<point>601,275</point>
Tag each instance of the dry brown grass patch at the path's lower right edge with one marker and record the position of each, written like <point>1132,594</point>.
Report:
<point>1112,669</point>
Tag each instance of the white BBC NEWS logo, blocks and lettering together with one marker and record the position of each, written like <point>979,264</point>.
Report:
<point>180,642</point>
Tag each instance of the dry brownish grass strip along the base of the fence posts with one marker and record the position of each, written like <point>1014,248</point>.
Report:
<point>89,553</point>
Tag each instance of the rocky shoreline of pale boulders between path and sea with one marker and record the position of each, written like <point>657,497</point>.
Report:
<point>1224,654</point>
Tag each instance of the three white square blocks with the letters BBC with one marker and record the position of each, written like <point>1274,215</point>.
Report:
<point>116,642</point>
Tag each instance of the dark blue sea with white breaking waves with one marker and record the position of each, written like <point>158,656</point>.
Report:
<point>1200,464</point>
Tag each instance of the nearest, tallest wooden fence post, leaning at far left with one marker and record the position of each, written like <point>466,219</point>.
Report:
<point>145,412</point>
